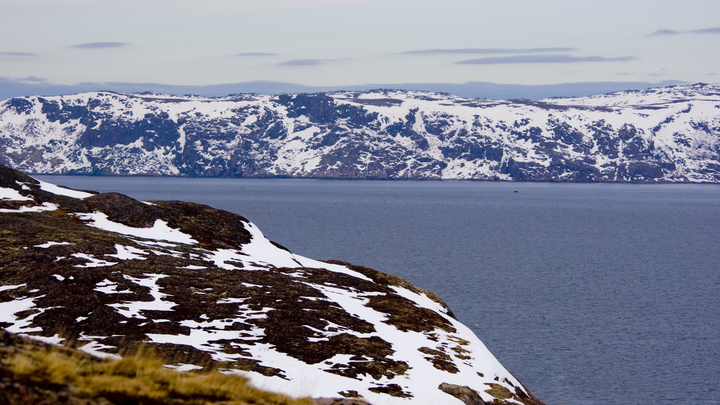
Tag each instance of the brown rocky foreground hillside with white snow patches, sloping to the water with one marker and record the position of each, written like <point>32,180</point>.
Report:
<point>204,289</point>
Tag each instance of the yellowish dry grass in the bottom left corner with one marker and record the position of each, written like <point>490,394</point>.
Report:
<point>138,379</point>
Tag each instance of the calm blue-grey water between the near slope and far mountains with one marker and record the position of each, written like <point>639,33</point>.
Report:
<point>589,294</point>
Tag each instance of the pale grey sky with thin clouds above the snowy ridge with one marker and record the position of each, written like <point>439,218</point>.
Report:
<point>63,45</point>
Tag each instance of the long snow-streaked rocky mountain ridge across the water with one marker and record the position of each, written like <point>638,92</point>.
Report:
<point>666,134</point>
